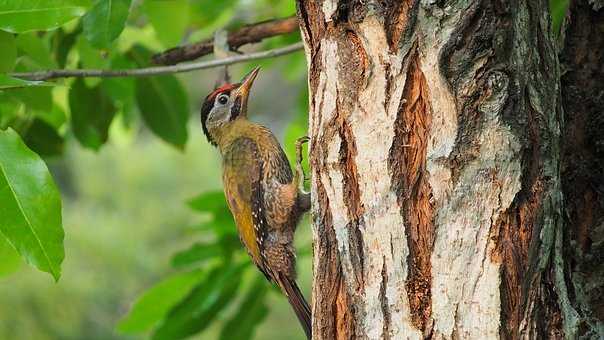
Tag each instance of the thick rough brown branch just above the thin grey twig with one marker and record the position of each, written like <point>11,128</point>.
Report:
<point>245,35</point>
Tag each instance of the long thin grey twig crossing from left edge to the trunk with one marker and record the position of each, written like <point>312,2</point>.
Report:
<point>157,70</point>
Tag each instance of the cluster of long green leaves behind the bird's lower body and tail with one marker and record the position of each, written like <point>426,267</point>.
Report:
<point>210,279</point>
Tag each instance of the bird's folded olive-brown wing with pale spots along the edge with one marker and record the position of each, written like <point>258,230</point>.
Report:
<point>242,176</point>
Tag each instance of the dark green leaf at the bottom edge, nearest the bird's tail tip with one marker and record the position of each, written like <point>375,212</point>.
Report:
<point>249,315</point>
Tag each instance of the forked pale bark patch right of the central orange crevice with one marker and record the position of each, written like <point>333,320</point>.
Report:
<point>465,281</point>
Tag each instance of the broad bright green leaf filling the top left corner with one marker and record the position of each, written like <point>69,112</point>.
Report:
<point>20,16</point>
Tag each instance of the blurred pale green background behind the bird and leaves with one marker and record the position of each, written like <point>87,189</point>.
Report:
<point>125,215</point>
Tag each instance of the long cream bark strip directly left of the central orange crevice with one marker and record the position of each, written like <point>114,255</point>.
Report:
<point>384,229</point>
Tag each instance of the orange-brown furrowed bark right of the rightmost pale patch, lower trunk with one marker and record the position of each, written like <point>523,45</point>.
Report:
<point>529,302</point>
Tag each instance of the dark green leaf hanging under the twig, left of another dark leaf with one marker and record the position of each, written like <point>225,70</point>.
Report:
<point>91,114</point>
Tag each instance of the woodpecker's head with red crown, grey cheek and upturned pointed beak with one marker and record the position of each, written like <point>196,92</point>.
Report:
<point>225,105</point>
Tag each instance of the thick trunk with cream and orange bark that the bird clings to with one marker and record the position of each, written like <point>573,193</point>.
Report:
<point>435,152</point>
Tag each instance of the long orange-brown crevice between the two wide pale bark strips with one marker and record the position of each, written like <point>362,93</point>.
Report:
<point>407,163</point>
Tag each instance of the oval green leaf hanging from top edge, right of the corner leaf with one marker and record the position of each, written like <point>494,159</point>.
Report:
<point>105,21</point>
